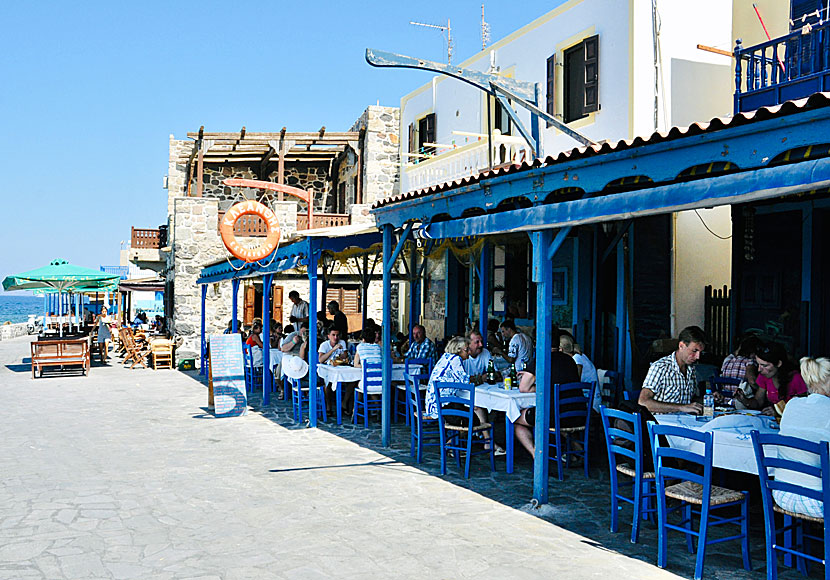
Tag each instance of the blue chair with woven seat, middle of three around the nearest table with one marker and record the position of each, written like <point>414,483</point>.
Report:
<point>694,489</point>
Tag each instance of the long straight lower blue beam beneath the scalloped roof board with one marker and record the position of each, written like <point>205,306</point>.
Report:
<point>711,192</point>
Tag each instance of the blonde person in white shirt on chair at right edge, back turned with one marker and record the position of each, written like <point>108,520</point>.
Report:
<point>806,418</point>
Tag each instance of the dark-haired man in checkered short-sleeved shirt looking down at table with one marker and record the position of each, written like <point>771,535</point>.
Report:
<point>671,383</point>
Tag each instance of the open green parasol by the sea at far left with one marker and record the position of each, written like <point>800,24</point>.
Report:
<point>61,276</point>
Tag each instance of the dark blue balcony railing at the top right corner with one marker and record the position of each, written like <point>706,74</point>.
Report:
<point>785,68</point>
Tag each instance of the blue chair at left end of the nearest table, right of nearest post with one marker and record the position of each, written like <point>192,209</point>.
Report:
<point>642,482</point>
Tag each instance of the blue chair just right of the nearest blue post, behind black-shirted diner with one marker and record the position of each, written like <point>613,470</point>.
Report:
<point>572,421</point>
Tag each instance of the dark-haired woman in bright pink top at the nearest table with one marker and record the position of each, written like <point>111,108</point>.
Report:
<point>778,380</point>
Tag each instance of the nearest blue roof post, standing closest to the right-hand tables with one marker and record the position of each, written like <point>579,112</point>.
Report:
<point>543,276</point>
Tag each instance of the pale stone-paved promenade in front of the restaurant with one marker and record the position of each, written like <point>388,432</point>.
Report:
<point>123,474</point>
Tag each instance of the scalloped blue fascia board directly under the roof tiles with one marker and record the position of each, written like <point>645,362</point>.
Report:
<point>749,146</point>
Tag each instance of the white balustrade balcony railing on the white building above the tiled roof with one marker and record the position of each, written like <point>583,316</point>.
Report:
<point>465,161</point>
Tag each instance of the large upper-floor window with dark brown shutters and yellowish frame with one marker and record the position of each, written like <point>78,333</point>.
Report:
<point>581,80</point>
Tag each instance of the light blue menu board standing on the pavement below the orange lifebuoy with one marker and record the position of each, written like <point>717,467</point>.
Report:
<point>227,375</point>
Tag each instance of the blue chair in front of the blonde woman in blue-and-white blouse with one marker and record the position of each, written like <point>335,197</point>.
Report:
<point>457,435</point>
